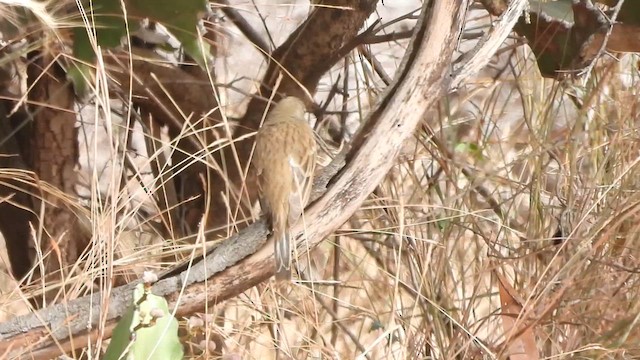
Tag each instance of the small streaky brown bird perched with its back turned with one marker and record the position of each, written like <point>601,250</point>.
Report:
<point>284,161</point>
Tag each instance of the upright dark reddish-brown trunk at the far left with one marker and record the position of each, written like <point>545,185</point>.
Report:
<point>53,158</point>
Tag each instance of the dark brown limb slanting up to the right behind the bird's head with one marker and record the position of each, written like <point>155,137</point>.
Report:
<point>307,54</point>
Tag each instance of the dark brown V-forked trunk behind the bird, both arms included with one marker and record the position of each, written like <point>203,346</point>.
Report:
<point>170,95</point>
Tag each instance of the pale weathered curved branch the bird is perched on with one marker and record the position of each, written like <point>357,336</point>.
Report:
<point>423,78</point>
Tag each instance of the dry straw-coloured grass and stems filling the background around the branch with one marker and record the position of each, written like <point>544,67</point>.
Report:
<point>511,214</point>
